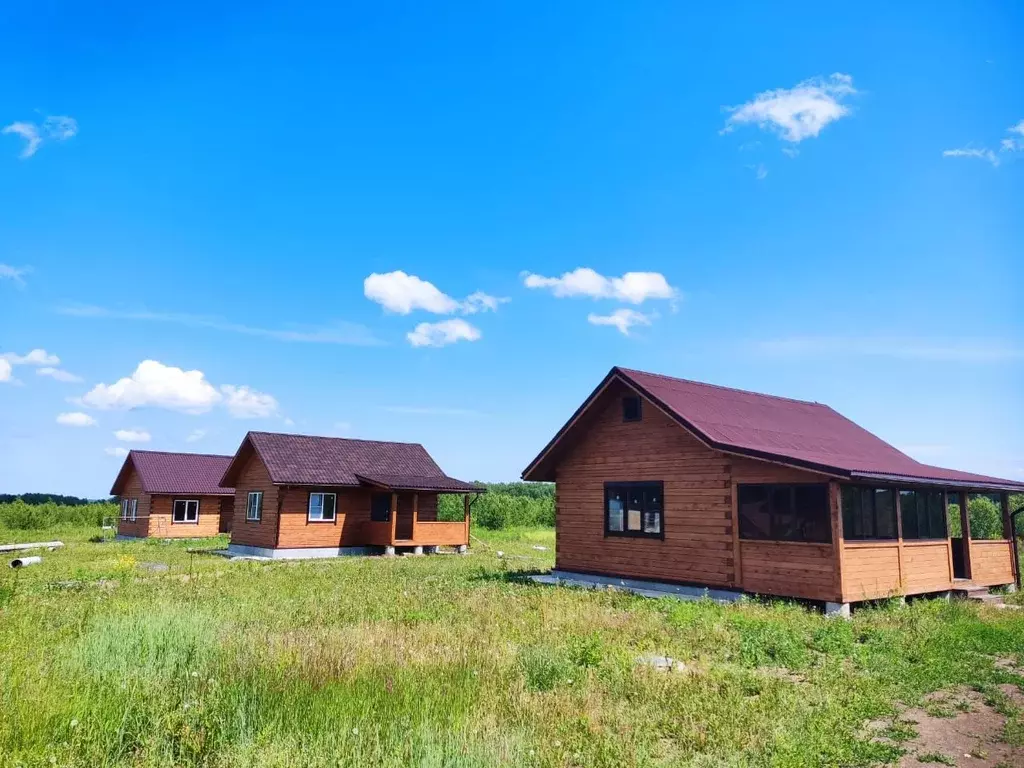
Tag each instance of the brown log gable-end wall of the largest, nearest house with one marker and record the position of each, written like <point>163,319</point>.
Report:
<point>698,503</point>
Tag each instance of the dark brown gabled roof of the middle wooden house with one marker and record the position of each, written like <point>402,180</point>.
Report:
<point>308,460</point>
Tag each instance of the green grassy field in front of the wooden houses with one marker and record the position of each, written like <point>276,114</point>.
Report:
<point>144,655</point>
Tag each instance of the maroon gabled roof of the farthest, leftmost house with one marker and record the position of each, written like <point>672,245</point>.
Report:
<point>161,473</point>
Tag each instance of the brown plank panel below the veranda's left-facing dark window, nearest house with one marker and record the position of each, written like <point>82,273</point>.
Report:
<point>790,570</point>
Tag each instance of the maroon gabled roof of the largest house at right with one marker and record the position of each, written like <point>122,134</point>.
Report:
<point>800,434</point>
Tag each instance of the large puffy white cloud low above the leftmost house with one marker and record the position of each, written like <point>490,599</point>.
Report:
<point>157,386</point>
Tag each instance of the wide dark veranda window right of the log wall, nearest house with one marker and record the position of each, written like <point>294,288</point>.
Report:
<point>785,514</point>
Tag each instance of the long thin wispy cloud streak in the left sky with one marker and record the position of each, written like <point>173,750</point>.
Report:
<point>338,333</point>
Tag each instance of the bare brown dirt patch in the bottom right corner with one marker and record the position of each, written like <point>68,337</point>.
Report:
<point>958,729</point>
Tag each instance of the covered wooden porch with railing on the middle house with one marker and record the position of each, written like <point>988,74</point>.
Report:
<point>397,518</point>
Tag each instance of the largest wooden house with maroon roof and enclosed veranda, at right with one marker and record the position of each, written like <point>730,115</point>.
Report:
<point>672,481</point>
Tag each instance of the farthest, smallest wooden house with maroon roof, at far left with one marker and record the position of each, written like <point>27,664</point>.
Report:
<point>173,496</point>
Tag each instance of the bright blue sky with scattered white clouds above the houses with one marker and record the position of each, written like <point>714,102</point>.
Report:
<point>823,203</point>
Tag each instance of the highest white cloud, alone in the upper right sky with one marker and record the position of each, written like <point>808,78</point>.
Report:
<point>798,113</point>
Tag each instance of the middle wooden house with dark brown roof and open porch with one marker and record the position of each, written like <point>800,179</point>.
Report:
<point>301,496</point>
